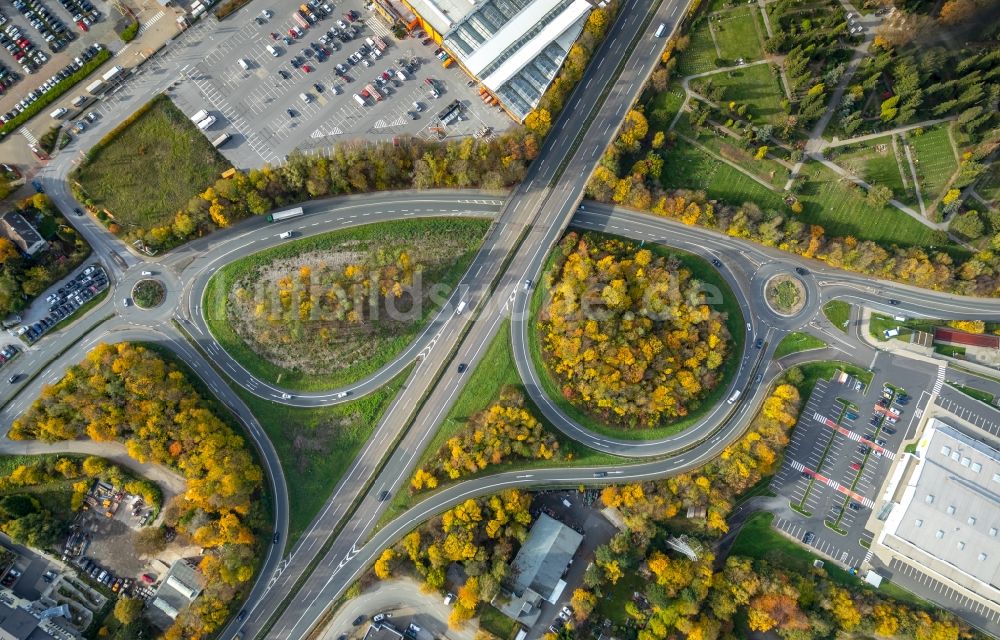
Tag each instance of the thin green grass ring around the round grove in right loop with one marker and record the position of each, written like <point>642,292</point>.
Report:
<point>734,321</point>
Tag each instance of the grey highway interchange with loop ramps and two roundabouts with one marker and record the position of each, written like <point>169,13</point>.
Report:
<point>293,592</point>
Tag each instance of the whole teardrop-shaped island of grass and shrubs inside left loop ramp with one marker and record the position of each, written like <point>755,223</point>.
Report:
<point>328,310</point>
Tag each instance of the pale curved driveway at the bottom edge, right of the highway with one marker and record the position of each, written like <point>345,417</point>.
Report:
<point>407,603</point>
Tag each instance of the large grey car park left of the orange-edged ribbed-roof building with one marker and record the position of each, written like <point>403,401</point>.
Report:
<point>262,105</point>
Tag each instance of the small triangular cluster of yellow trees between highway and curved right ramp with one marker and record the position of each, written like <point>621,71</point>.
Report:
<point>504,431</point>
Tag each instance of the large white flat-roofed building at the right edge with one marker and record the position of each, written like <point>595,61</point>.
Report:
<point>947,513</point>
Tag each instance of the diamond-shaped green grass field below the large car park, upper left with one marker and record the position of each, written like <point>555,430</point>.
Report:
<point>175,161</point>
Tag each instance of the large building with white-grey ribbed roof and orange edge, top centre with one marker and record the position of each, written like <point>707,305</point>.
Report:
<point>513,47</point>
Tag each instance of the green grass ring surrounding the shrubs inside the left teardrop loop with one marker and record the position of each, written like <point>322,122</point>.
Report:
<point>356,354</point>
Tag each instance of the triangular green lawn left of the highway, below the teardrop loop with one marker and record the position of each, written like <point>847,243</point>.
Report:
<point>316,446</point>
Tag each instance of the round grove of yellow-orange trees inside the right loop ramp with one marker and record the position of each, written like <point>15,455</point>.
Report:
<point>628,333</point>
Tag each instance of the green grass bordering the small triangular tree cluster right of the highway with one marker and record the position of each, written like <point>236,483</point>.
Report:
<point>495,371</point>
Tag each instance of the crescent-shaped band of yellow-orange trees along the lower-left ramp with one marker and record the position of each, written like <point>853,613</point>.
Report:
<point>127,393</point>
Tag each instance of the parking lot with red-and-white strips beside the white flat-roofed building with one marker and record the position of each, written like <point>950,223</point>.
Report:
<point>840,451</point>
